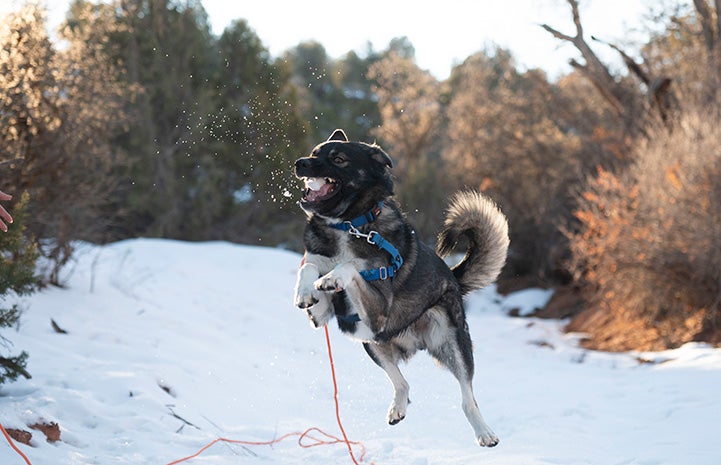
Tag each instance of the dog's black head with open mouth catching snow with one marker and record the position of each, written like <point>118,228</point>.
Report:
<point>344,179</point>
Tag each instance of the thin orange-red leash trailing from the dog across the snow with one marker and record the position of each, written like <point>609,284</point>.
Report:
<point>305,438</point>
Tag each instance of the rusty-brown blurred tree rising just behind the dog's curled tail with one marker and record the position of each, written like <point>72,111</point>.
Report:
<point>507,136</point>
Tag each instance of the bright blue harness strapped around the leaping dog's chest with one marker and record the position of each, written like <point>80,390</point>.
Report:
<point>373,237</point>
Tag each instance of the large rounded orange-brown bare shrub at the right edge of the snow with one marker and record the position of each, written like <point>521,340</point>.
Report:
<point>648,253</point>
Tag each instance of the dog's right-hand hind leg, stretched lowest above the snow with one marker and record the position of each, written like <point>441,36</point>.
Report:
<point>451,347</point>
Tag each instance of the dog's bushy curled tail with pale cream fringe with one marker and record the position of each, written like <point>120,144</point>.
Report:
<point>476,217</point>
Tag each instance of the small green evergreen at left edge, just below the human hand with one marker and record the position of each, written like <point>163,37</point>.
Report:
<point>17,278</point>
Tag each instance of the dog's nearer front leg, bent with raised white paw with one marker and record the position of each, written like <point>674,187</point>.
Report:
<point>366,300</point>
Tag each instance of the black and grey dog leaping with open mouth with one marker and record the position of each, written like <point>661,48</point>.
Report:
<point>364,265</point>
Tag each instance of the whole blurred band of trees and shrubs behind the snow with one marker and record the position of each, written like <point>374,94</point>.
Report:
<point>141,122</point>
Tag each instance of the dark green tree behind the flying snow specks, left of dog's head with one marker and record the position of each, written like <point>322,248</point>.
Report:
<point>257,133</point>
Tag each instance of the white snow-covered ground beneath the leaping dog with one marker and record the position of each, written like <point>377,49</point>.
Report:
<point>171,345</point>
